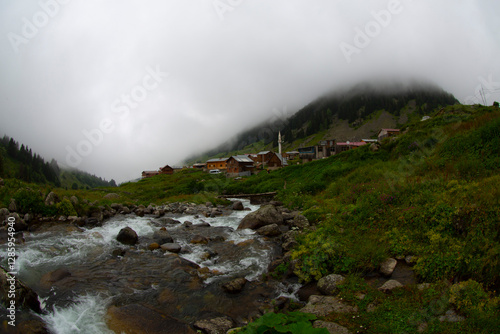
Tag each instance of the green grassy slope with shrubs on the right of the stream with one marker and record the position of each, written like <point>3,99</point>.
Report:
<point>433,193</point>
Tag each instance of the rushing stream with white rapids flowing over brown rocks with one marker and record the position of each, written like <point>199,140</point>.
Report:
<point>78,278</point>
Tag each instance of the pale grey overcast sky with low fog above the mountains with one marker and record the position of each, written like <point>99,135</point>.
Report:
<point>115,87</point>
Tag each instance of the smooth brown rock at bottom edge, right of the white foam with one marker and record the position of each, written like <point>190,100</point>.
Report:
<point>140,319</point>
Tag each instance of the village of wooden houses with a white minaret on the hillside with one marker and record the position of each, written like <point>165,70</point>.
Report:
<point>250,163</point>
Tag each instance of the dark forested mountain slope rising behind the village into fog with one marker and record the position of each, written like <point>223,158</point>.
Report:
<point>355,113</point>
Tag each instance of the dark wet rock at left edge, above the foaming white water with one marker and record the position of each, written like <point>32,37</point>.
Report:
<point>24,297</point>
